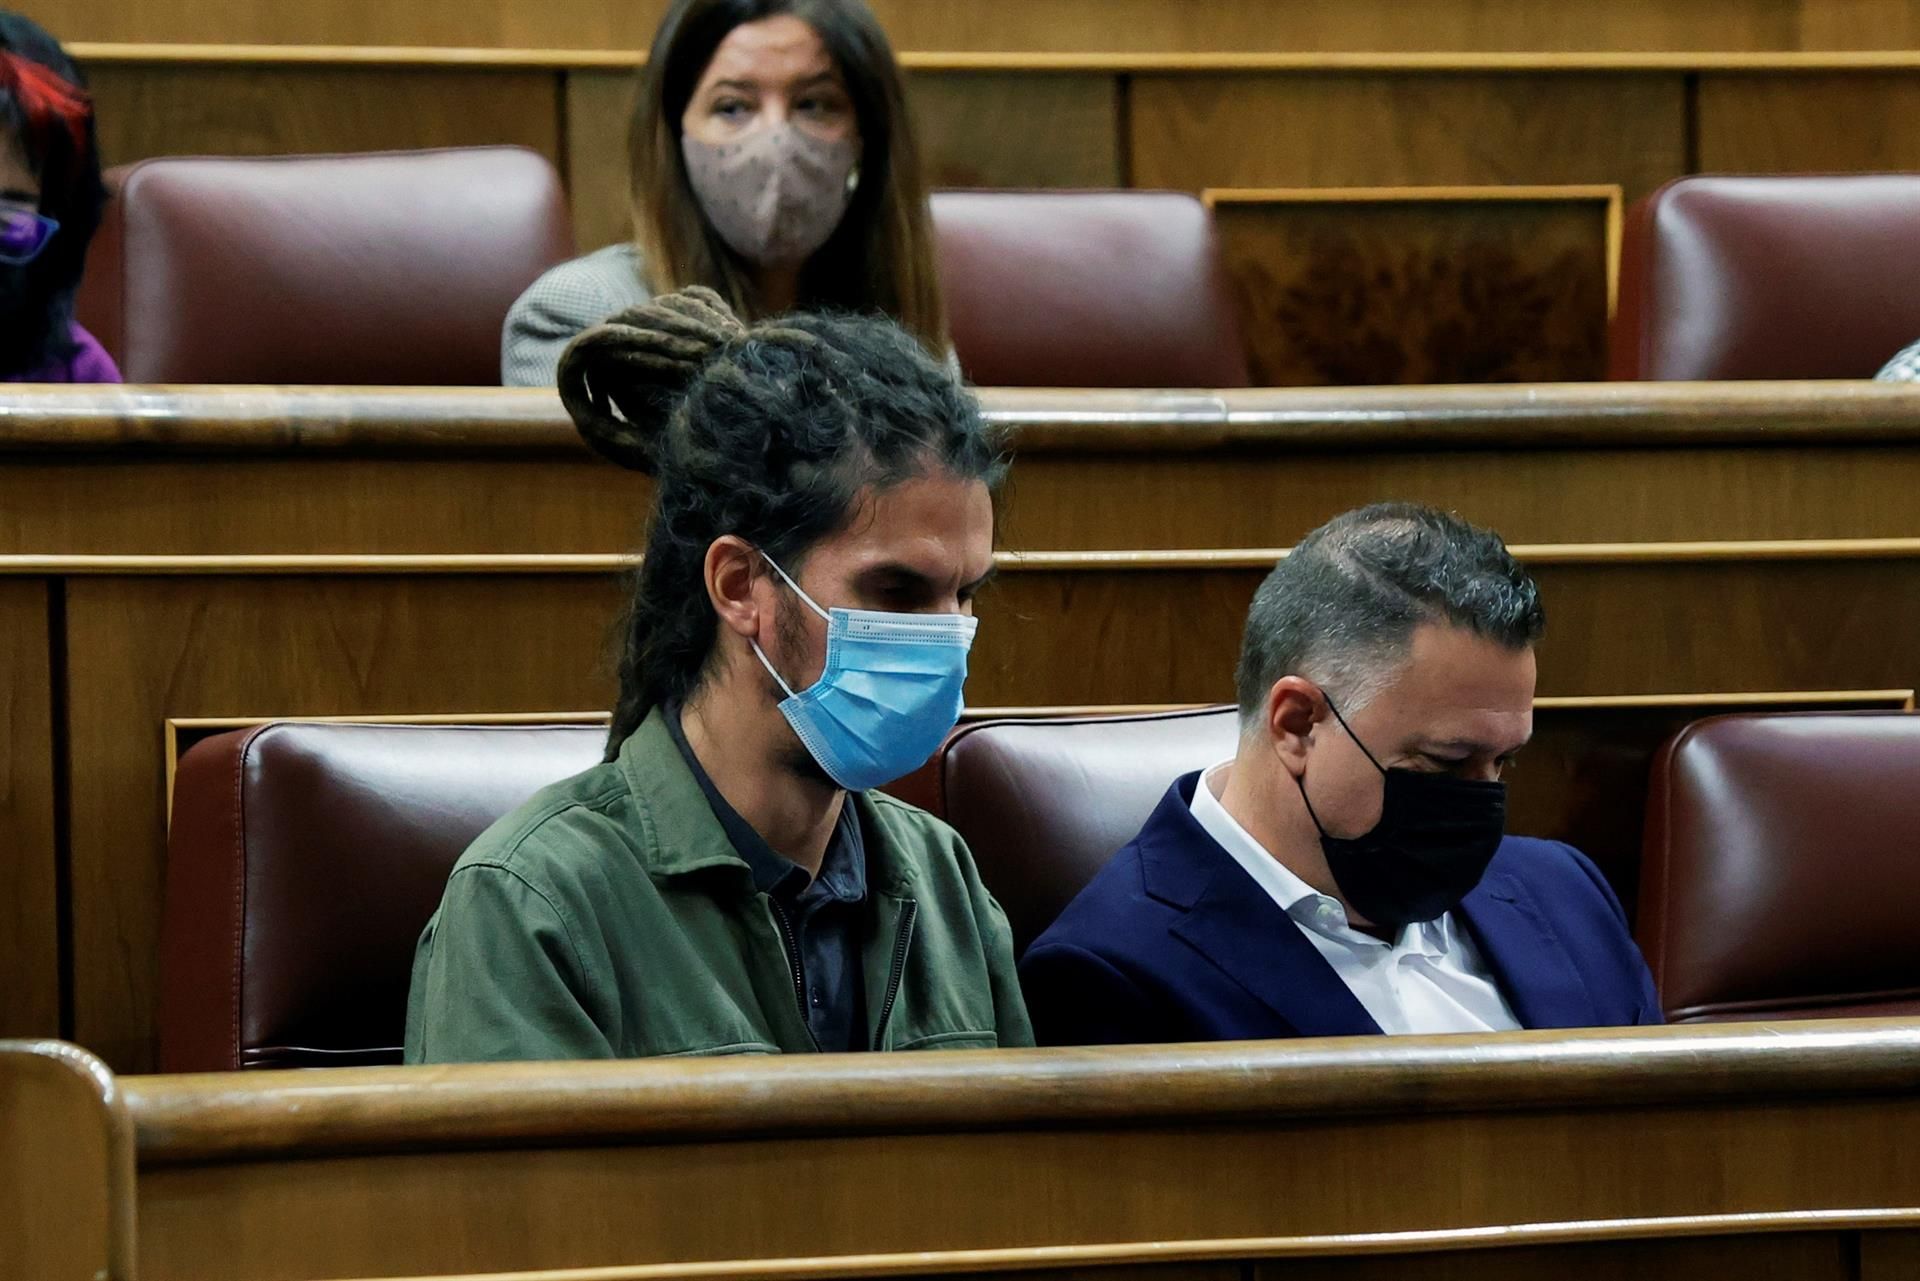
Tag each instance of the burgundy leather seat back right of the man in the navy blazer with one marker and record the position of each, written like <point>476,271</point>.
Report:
<point>1783,867</point>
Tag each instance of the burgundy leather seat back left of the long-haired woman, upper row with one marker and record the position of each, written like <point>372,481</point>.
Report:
<point>391,268</point>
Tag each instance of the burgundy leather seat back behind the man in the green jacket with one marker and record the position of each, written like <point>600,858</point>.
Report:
<point>302,865</point>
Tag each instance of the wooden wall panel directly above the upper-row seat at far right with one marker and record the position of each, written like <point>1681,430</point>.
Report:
<point>1810,124</point>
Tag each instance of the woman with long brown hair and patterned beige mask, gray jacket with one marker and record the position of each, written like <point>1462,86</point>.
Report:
<point>775,164</point>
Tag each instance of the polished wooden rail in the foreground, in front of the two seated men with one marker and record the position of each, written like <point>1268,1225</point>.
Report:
<point>260,1117</point>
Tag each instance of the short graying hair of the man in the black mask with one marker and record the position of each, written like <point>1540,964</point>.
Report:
<point>1341,610</point>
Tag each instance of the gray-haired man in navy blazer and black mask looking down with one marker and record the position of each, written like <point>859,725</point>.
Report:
<point>1349,871</point>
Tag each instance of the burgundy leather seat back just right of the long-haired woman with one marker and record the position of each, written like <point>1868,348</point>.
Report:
<point>1088,291</point>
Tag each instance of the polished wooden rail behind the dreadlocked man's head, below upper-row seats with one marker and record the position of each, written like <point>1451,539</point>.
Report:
<point>531,423</point>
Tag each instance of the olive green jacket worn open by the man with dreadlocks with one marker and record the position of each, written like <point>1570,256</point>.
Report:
<point>612,919</point>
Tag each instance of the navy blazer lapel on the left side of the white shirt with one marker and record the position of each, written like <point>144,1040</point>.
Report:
<point>1241,931</point>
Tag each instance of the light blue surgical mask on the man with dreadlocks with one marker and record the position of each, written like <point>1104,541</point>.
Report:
<point>888,696</point>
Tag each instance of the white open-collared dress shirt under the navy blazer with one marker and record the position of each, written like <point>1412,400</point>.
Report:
<point>1431,979</point>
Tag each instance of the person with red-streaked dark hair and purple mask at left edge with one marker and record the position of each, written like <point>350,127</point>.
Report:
<point>51,203</point>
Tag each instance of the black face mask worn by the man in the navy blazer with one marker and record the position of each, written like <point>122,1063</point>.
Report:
<point>1433,844</point>
